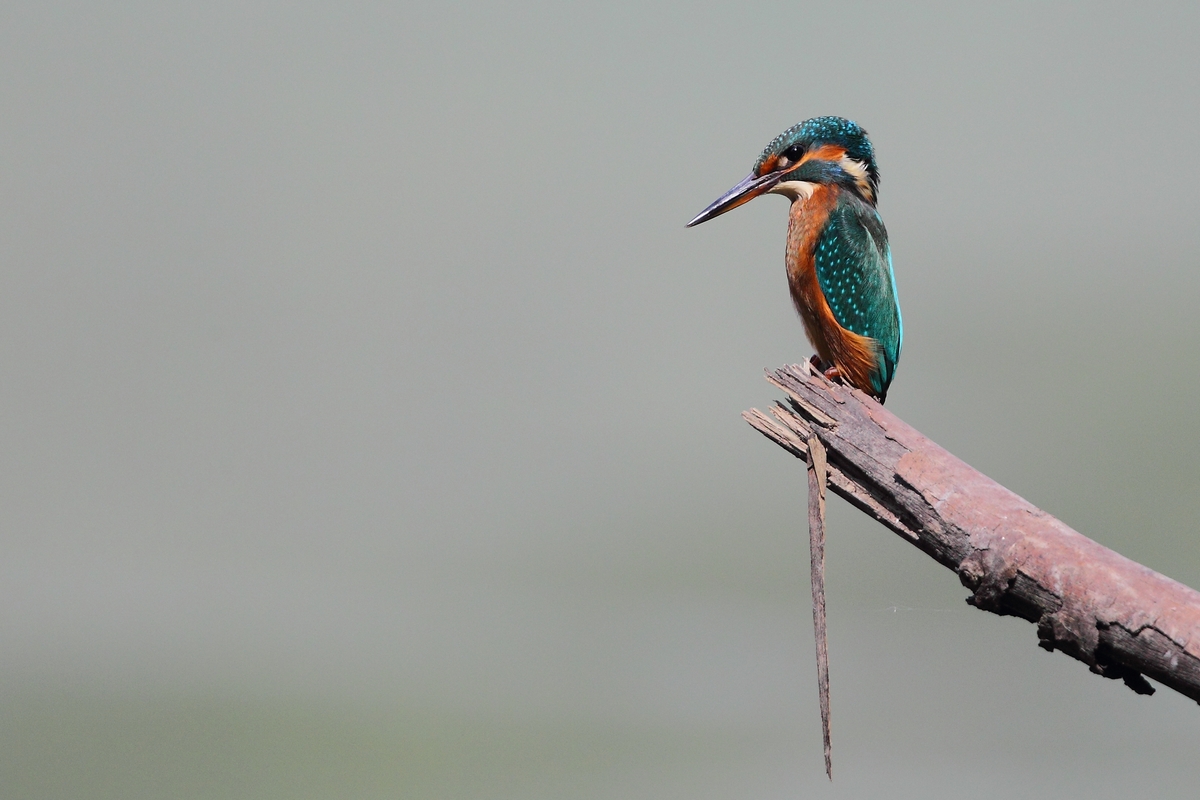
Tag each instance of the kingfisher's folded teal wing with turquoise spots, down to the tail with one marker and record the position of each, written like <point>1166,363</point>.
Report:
<point>854,266</point>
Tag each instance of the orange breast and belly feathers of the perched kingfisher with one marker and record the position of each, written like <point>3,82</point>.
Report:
<point>853,354</point>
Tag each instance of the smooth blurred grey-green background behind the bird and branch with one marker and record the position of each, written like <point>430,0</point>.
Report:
<point>369,422</point>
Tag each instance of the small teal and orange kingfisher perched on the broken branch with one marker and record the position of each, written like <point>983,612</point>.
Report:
<point>839,264</point>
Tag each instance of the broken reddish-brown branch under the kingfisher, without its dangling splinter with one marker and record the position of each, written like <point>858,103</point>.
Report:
<point>1120,618</point>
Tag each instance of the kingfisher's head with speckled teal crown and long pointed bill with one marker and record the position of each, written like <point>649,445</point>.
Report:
<point>825,151</point>
